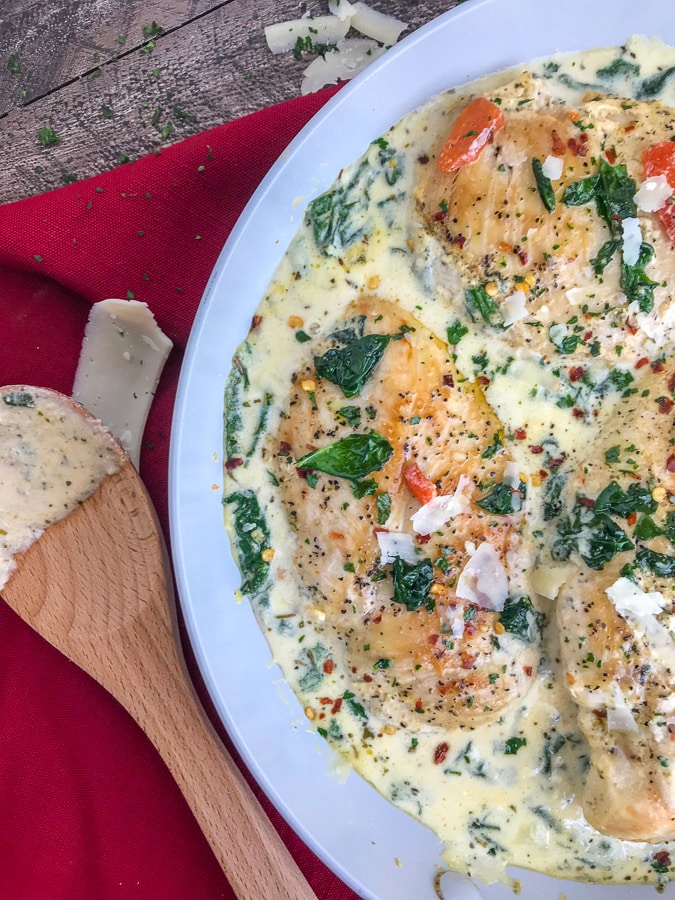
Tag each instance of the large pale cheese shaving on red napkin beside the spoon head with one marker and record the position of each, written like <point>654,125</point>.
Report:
<point>122,357</point>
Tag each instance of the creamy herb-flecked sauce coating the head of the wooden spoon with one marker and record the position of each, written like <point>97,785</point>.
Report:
<point>53,459</point>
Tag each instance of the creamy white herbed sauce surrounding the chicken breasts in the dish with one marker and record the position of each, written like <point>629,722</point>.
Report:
<point>491,806</point>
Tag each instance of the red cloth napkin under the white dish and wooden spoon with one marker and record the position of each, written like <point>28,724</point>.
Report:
<point>87,808</point>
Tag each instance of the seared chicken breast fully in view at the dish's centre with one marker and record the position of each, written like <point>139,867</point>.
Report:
<point>423,655</point>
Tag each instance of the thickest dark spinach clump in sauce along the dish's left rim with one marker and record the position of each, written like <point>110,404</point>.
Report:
<point>251,537</point>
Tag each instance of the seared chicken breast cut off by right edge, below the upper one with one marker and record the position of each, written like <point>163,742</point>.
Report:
<point>618,649</point>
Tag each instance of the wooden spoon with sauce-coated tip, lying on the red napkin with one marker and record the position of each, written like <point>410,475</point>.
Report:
<point>97,586</point>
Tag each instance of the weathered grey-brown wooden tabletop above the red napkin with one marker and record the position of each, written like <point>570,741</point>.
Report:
<point>86,85</point>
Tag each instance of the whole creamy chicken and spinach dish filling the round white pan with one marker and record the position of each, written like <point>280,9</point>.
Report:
<point>472,692</point>
